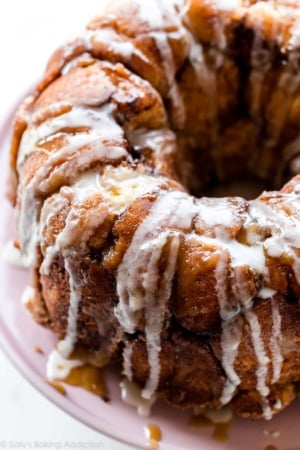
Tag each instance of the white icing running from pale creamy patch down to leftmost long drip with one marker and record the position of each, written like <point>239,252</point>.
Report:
<point>125,182</point>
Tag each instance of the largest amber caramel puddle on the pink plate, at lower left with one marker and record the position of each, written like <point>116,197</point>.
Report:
<point>90,378</point>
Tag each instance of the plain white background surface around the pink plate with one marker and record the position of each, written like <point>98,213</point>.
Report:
<point>29,31</point>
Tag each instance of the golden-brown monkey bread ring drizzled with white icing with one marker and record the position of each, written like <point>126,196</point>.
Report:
<point>152,107</point>
